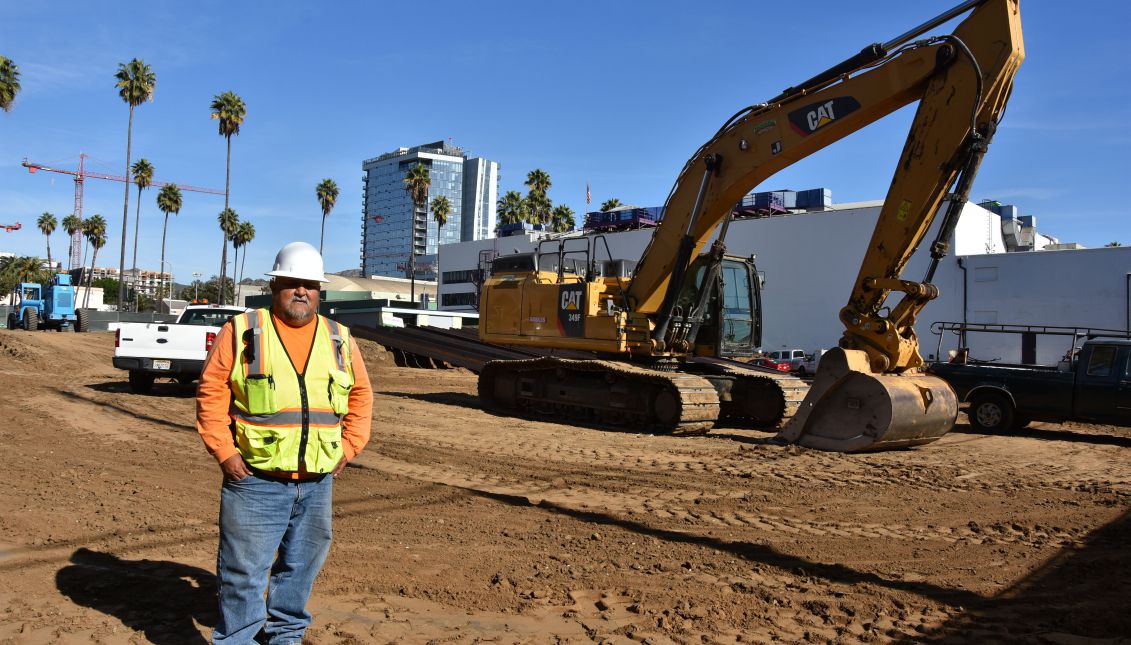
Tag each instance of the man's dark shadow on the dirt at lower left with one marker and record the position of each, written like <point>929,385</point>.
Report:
<point>158,598</point>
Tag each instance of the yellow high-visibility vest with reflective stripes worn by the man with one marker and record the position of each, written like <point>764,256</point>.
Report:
<point>283,419</point>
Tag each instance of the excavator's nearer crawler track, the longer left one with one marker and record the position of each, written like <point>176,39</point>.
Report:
<point>601,393</point>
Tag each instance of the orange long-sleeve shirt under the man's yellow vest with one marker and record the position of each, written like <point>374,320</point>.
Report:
<point>214,395</point>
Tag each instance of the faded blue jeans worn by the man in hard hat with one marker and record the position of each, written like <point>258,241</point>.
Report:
<point>270,527</point>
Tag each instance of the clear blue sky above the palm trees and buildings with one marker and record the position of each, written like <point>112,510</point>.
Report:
<point>618,94</point>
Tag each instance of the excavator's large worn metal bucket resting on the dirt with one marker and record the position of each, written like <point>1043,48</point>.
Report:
<point>851,410</point>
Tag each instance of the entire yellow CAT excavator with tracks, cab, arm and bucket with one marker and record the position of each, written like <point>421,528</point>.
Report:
<point>658,347</point>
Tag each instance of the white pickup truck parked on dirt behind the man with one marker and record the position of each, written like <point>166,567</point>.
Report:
<point>174,350</point>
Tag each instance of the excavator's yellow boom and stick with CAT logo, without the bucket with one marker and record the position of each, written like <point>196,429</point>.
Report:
<point>960,80</point>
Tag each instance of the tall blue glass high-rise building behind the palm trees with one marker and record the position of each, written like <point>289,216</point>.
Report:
<point>391,229</point>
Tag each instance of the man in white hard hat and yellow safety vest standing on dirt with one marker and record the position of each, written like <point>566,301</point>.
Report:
<point>284,403</point>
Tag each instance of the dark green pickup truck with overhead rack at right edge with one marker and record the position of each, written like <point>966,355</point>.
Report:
<point>1093,384</point>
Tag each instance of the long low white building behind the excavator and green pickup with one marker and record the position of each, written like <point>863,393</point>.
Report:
<point>810,261</point>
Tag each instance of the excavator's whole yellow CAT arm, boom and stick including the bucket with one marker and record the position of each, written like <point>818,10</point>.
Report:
<point>962,83</point>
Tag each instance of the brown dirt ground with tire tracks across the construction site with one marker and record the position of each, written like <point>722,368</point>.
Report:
<point>461,527</point>
